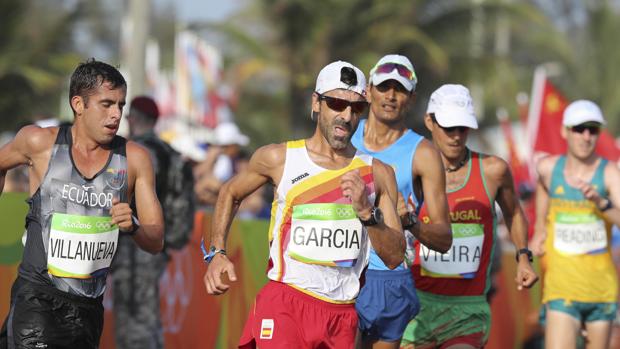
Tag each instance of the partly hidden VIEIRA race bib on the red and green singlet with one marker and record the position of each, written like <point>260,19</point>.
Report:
<point>463,258</point>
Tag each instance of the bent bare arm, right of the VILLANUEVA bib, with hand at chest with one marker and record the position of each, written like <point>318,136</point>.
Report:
<point>150,235</point>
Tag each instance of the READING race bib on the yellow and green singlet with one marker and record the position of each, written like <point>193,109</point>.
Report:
<point>579,233</point>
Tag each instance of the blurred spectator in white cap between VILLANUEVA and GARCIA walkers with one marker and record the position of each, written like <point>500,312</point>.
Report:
<point>219,163</point>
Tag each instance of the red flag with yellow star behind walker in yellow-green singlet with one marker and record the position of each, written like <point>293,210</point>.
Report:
<point>545,122</point>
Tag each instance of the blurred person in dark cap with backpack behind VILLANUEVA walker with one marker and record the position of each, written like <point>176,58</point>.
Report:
<point>137,273</point>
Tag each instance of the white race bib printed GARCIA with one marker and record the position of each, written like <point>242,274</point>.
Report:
<point>325,234</point>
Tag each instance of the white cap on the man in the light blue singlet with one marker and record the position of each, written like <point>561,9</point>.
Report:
<point>386,69</point>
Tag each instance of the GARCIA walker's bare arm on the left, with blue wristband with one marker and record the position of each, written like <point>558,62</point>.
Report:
<point>265,165</point>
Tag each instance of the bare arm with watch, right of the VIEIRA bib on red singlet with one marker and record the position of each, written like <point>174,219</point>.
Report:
<point>501,184</point>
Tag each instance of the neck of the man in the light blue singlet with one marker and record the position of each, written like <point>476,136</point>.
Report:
<point>379,135</point>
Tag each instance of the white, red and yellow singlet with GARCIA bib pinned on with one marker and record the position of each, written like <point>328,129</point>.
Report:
<point>316,242</point>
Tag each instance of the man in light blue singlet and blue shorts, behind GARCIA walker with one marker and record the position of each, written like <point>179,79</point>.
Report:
<point>419,174</point>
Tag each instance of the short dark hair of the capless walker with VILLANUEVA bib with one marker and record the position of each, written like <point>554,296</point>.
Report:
<point>88,76</point>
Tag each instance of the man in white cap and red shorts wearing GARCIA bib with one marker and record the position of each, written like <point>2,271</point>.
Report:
<point>331,202</point>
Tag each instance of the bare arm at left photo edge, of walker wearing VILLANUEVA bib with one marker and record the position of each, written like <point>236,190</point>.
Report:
<point>31,146</point>
